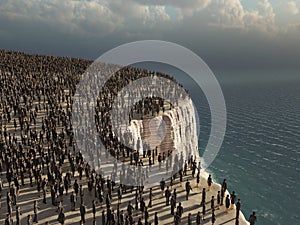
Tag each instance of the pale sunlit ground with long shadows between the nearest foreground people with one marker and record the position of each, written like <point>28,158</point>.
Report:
<point>48,212</point>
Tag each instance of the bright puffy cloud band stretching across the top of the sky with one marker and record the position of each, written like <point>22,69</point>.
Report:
<point>99,18</point>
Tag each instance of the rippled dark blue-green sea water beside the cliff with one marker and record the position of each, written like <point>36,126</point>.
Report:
<point>260,155</point>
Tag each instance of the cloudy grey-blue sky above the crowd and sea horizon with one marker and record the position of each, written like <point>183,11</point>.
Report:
<point>231,34</point>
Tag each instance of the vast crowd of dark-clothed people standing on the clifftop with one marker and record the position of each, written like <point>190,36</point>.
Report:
<point>38,151</point>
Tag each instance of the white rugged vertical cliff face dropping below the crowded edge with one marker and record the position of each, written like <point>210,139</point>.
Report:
<point>184,130</point>
